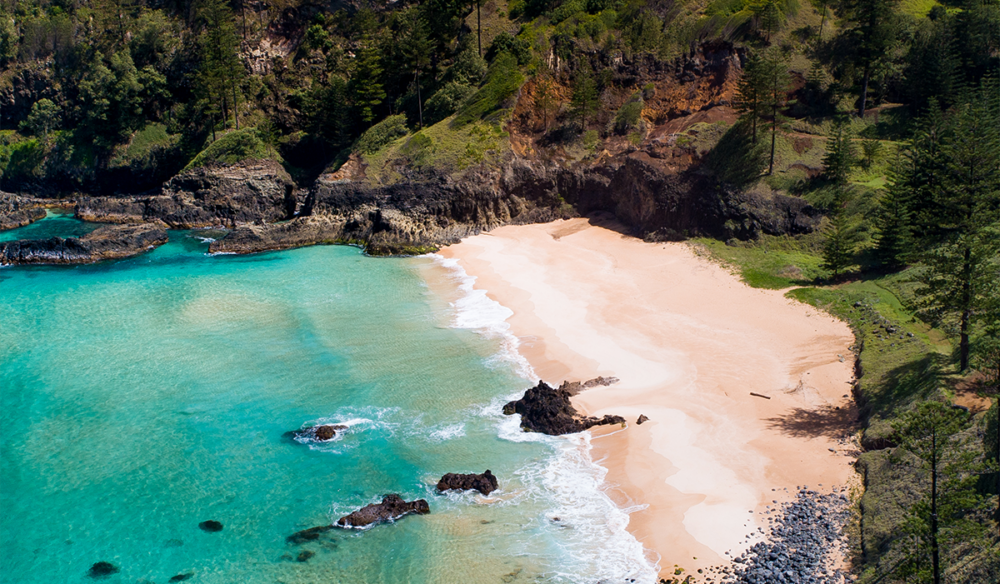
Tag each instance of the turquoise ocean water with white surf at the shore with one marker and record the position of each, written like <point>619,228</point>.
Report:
<point>141,397</point>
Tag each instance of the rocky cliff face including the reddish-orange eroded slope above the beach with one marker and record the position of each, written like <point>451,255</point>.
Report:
<point>651,181</point>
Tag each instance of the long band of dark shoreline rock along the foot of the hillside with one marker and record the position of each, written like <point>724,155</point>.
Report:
<point>258,201</point>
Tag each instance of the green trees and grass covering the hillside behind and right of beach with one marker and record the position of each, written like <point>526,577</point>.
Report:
<point>884,114</point>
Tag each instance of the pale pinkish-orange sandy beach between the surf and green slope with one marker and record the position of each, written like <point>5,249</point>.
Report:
<point>689,342</point>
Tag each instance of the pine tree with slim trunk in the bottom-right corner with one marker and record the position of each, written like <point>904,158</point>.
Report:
<point>934,437</point>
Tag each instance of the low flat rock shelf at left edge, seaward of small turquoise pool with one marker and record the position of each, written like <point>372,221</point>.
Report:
<point>109,242</point>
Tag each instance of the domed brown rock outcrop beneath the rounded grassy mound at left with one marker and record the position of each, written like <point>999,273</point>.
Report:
<point>252,191</point>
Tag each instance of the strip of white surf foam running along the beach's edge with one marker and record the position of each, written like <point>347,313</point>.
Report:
<point>598,546</point>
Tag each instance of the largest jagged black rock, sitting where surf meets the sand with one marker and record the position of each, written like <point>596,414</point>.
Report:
<point>549,411</point>
